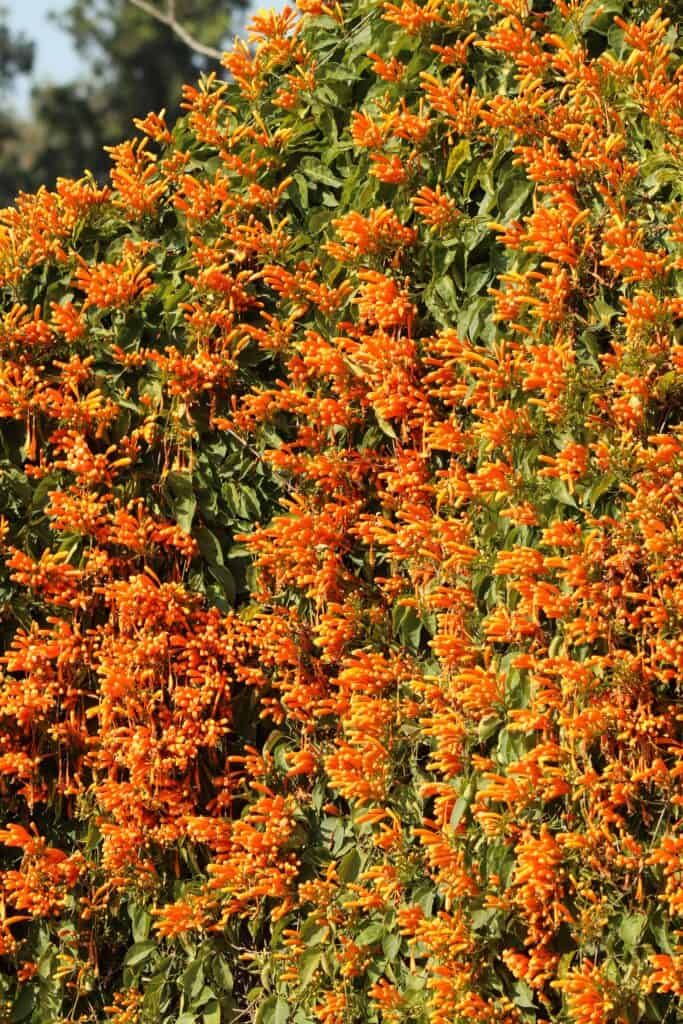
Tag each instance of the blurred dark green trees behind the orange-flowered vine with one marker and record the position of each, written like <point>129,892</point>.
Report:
<point>134,63</point>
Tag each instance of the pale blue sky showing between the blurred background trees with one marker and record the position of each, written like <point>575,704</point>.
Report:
<point>56,59</point>
